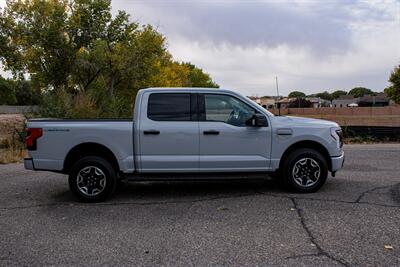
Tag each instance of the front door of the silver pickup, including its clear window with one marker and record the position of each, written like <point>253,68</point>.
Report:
<point>226,142</point>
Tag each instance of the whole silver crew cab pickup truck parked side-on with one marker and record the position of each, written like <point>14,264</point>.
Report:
<point>186,133</point>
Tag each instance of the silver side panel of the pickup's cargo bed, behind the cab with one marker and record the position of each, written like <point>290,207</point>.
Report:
<point>60,136</point>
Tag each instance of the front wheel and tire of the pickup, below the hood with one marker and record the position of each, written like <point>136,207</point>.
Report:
<point>304,171</point>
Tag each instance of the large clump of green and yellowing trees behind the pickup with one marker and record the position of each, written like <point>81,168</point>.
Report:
<point>76,51</point>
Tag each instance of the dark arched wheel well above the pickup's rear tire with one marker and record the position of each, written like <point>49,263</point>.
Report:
<point>89,149</point>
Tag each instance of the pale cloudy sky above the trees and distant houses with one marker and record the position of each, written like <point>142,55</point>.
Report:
<point>311,46</point>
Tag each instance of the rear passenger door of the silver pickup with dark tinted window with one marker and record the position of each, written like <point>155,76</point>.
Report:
<point>169,133</point>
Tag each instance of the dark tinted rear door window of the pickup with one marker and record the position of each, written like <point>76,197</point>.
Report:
<point>169,107</point>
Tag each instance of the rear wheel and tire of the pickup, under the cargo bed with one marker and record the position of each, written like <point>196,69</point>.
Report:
<point>92,179</point>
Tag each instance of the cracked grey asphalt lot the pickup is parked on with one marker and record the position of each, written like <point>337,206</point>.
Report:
<point>354,220</point>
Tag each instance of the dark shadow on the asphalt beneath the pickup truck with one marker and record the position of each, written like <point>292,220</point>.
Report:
<point>166,191</point>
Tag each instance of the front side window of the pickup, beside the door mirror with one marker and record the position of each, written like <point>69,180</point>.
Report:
<point>227,109</point>
